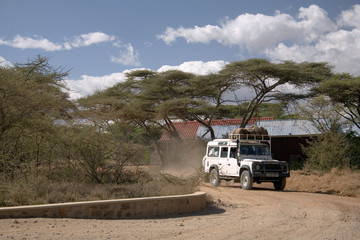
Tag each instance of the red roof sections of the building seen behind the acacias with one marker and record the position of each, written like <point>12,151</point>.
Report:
<point>187,130</point>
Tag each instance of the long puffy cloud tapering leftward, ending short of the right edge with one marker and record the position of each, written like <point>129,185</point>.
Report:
<point>256,32</point>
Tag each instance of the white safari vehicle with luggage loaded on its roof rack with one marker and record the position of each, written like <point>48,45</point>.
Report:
<point>245,157</point>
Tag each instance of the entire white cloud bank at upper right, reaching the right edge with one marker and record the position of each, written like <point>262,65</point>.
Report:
<point>311,36</point>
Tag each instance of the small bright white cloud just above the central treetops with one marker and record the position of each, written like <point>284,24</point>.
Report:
<point>196,67</point>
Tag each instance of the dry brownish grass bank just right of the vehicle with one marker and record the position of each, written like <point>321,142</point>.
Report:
<point>339,182</point>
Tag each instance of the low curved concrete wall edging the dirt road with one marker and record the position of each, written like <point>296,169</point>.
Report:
<point>112,209</point>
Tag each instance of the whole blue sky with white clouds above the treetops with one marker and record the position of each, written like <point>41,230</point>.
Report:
<point>100,40</point>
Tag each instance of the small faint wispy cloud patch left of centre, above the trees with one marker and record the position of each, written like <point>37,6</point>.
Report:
<point>128,56</point>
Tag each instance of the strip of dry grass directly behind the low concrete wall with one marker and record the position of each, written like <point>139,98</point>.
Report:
<point>42,190</point>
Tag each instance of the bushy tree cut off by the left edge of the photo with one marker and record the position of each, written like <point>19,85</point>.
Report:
<point>31,99</point>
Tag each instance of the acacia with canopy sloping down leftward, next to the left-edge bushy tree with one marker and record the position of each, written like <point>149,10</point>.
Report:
<point>142,101</point>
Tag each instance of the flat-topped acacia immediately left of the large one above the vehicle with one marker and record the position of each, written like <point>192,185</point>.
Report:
<point>180,95</point>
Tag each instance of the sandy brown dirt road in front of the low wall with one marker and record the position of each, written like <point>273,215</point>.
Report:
<point>261,213</point>
